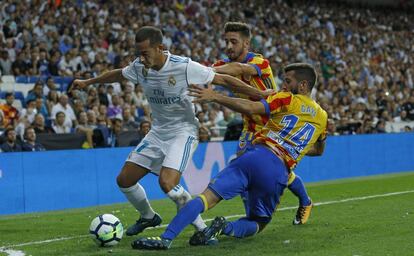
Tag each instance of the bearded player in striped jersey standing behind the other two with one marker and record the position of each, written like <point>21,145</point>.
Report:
<point>255,70</point>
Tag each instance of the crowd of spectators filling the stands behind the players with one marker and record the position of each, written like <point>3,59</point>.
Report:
<point>365,58</point>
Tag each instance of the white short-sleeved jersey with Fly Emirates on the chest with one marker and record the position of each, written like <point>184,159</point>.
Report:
<point>166,90</point>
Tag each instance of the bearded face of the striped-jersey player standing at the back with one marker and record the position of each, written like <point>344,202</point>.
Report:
<point>236,45</point>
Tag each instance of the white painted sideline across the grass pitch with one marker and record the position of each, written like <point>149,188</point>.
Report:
<point>229,217</point>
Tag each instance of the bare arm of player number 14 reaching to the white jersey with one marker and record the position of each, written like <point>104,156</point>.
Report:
<point>243,106</point>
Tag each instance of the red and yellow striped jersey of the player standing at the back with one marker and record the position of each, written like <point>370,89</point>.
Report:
<point>263,80</point>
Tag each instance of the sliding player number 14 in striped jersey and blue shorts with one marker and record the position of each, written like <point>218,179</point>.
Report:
<point>296,126</point>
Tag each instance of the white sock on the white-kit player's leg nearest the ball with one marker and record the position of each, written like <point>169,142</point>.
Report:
<point>137,197</point>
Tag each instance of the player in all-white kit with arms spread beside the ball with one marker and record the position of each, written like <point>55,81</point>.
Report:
<point>167,148</point>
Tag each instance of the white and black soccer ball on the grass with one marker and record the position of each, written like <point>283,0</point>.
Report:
<point>106,230</point>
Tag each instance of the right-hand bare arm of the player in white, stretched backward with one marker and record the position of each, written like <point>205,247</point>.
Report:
<point>239,86</point>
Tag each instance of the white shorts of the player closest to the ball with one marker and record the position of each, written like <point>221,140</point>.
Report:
<point>172,151</point>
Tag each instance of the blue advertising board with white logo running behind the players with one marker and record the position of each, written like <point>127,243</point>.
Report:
<point>52,180</point>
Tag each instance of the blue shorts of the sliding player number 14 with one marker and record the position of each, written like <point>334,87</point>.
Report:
<point>260,173</point>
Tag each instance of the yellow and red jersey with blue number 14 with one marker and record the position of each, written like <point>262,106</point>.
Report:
<point>295,123</point>
